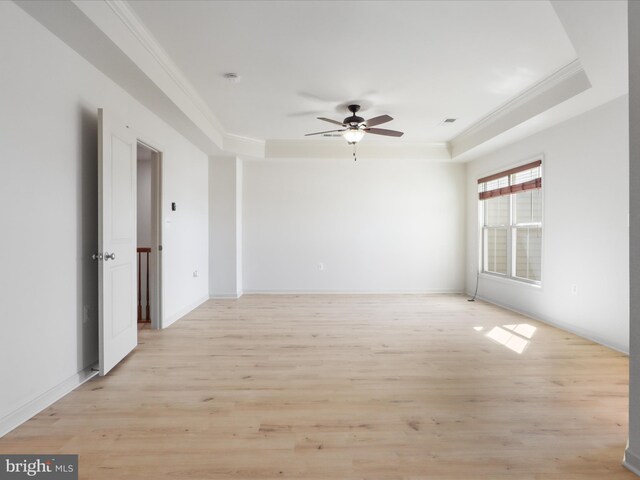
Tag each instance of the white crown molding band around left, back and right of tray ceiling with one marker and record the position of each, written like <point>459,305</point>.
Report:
<point>117,20</point>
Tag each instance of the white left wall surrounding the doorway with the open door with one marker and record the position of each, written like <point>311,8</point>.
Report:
<point>48,186</point>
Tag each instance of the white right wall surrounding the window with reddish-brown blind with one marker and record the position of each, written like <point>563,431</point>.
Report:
<point>585,232</point>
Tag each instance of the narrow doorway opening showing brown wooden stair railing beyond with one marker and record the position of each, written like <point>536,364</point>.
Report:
<point>149,234</point>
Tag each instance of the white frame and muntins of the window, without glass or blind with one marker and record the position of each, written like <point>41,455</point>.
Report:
<point>512,227</point>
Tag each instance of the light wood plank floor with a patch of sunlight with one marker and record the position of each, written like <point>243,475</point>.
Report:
<point>347,387</point>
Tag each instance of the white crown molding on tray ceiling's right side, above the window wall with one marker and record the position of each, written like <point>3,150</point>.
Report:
<point>561,85</point>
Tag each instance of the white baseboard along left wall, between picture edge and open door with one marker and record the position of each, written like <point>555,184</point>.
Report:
<point>48,398</point>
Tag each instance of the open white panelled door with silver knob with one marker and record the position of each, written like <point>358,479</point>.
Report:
<point>117,229</point>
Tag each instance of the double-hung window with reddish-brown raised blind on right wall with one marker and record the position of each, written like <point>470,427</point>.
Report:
<point>511,220</point>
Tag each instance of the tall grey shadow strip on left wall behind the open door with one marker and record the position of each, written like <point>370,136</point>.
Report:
<point>87,221</point>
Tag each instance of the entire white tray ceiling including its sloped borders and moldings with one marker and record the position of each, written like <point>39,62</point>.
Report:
<point>505,69</point>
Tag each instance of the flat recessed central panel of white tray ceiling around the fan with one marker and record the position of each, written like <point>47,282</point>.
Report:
<point>420,62</point>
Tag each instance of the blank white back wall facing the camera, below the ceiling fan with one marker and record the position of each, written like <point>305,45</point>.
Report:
<point>374,225</point>
